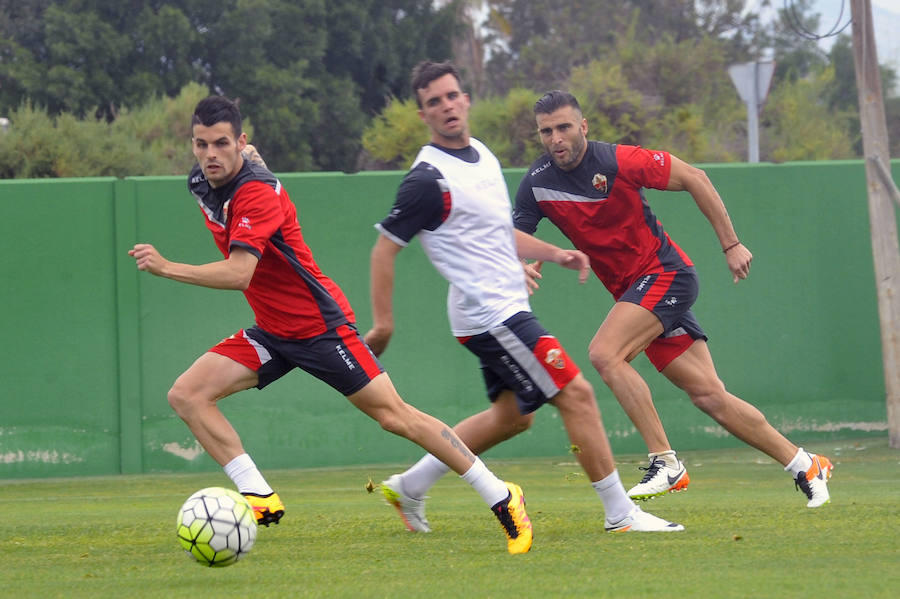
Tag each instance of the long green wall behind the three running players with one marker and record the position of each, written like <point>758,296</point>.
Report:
<point>91,345</point>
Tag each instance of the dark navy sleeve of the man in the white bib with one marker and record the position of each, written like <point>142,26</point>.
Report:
<point>419,205</point>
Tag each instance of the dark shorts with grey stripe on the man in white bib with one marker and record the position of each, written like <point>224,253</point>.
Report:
<point>522,356</point>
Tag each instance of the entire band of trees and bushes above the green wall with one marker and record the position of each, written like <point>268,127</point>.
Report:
<point>313,74</point>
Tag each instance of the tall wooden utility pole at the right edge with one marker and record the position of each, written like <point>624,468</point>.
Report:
<point>882,218</point>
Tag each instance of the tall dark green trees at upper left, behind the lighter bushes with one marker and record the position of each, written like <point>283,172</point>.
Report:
<point>299,67</point>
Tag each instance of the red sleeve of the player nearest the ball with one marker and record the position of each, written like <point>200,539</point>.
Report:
<point>255,217</point>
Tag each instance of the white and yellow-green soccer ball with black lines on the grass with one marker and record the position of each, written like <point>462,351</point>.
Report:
<point>216,526</point>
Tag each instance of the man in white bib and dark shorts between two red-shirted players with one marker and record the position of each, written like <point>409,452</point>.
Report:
<point>455,199</point>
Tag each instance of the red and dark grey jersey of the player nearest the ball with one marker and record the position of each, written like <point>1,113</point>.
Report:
<point>289,294</point>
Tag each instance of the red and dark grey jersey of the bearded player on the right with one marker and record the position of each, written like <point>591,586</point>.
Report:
<point>600,206</point>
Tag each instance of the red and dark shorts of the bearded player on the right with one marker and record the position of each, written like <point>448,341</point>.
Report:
<point>669,295</point>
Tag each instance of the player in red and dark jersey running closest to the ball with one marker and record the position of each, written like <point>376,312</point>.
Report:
<point>302,317</point>
